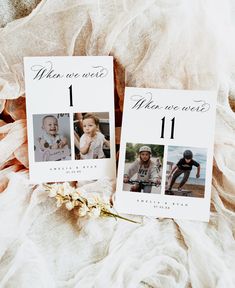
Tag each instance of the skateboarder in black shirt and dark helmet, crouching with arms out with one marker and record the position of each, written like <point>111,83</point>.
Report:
<point>184,166</point>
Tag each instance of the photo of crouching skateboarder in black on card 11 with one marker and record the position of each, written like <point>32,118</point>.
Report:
<point>186,169</point>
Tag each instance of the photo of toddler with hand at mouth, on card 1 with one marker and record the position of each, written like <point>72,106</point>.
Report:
<point>91,135</point>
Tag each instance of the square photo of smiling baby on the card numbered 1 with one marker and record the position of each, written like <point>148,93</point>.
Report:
<point>51,137</point>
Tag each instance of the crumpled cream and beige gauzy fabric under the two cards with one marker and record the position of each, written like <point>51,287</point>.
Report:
<point>176,44</point>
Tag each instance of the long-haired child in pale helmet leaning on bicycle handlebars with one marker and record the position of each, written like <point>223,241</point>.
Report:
<point>145,170</point>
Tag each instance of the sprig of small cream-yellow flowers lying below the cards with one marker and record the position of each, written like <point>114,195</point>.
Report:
<point>92,205</point>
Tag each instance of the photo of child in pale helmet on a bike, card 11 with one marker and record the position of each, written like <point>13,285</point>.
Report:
<point>143,168</point>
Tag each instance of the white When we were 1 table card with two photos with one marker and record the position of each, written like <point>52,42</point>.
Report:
<point>70,118</point>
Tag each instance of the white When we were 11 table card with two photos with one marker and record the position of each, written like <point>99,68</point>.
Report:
<point>166,153</point>
